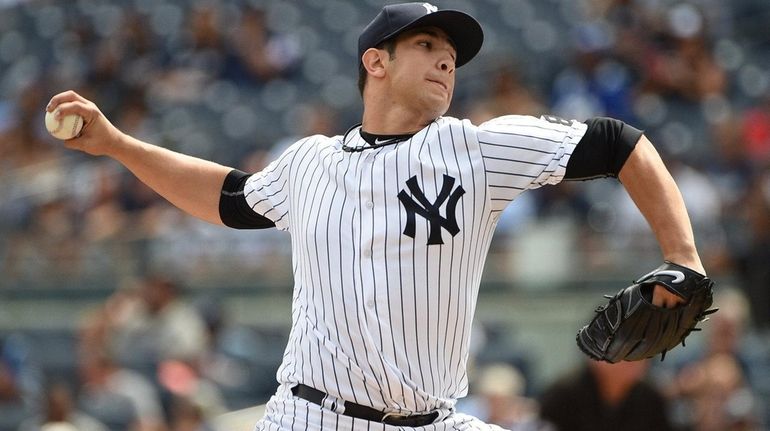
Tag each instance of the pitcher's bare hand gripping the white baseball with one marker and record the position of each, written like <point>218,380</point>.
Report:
<point>98,136</point>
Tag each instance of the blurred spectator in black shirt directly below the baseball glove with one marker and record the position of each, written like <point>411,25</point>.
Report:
<point>605,397</point>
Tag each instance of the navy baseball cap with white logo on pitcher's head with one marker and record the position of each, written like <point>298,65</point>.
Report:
<point>464,31</point>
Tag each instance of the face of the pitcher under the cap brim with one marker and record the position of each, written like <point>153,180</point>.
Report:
<point>422,70</point>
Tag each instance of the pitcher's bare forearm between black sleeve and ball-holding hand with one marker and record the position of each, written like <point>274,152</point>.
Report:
<point>193,185</point>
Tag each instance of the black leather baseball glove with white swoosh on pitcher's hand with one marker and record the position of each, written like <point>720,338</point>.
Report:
<point>630,328</point>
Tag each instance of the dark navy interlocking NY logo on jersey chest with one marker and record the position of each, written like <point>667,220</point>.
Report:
<point>430,210</point>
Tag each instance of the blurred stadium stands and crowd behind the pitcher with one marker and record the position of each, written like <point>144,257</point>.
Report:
<point>117,312</point>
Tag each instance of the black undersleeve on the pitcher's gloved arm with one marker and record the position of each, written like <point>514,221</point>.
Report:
<point>603,149</point>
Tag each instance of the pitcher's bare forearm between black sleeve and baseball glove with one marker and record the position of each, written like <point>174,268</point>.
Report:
<point>653,190</point>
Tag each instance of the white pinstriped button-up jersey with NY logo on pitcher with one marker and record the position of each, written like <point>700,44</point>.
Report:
<point>380,316</point>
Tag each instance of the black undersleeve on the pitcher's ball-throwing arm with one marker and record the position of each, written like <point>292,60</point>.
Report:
<point>234,211</point>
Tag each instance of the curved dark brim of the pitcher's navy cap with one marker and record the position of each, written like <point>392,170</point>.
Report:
<point>464,31</point>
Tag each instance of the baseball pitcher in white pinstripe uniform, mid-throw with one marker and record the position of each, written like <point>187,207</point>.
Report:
<point>390,225</point>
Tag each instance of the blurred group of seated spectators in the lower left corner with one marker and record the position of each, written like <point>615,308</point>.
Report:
<point>148,359</point>
